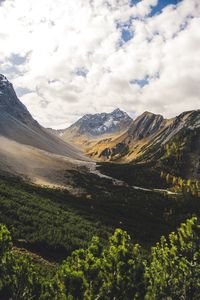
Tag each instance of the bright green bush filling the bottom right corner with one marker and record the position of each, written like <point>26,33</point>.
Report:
<point>174,268</point>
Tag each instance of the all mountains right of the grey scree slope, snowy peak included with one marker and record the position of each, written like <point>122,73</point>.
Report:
<point>115,137</point>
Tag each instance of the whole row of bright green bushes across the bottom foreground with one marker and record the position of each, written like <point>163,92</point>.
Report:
<point>118,270</point>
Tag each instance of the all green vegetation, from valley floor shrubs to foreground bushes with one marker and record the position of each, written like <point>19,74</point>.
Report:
<point>49,225</point>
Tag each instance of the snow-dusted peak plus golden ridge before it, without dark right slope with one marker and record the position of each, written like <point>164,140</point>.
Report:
<point>113,136</point>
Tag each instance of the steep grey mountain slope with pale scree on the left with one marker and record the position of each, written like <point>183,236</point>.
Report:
<point>29,150</point>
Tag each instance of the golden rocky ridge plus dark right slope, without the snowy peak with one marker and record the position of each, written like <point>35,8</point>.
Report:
<point>172,144</point>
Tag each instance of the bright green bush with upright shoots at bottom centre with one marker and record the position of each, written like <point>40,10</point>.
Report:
<point>113,272</point>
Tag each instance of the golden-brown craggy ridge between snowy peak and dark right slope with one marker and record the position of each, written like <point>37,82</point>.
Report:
<point>128,145</point>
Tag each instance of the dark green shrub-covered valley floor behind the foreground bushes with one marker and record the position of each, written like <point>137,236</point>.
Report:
<point>54,222</point>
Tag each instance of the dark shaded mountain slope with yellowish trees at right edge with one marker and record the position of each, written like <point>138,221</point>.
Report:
<point>177,148</point>
